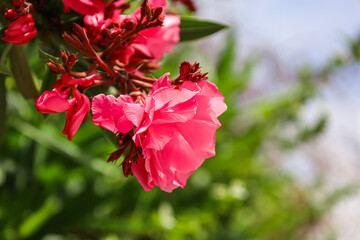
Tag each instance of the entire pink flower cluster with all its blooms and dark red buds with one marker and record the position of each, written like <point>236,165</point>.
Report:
<point>164,128</point>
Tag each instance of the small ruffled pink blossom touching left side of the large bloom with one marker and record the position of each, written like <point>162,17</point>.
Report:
<point>109,112</point>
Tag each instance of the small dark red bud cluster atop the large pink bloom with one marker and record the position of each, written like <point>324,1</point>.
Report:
<point>190,72</point>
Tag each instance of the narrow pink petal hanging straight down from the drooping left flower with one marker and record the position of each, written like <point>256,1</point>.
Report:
<point>77,114</point>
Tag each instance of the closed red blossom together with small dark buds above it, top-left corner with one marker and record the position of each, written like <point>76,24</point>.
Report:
<point>22,29</point>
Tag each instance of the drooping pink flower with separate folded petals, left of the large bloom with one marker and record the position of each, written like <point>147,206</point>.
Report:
<point>65,97</point>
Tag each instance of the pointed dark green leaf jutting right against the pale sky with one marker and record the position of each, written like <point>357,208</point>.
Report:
<point>193,28</point>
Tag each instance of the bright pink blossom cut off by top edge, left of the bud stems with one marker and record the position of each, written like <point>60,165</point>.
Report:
<point>85,6</point>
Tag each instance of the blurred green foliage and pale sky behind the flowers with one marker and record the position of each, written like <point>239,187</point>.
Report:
<point>287,163</point>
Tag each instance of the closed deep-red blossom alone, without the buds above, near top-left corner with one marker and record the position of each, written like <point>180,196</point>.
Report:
<point>21,31</point>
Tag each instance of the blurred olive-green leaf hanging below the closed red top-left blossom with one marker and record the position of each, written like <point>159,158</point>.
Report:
<point>21,71</point>
